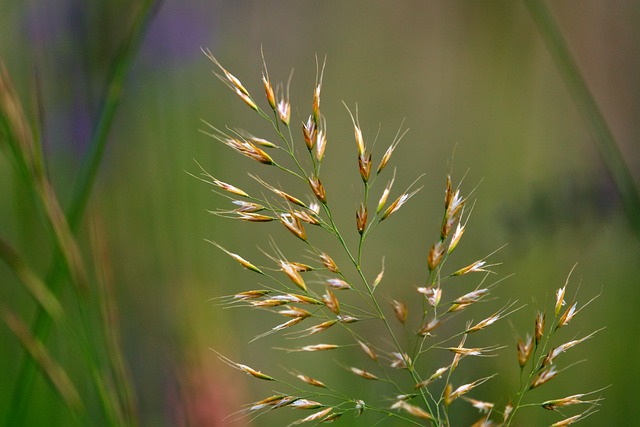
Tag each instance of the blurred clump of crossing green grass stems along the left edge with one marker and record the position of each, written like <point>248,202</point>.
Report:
<point>91,317</point>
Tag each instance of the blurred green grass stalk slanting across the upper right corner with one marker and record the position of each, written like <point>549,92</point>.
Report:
<point>586,104</point>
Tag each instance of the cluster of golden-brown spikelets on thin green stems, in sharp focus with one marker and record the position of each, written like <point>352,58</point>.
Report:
<point>423,395</point>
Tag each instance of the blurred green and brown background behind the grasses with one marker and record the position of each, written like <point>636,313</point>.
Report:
<point>474,83</point>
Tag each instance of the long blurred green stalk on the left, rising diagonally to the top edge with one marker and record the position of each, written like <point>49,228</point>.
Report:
<point>84,184</point>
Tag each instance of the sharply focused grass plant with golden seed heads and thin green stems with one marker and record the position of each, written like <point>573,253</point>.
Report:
<point>346,314</point>
